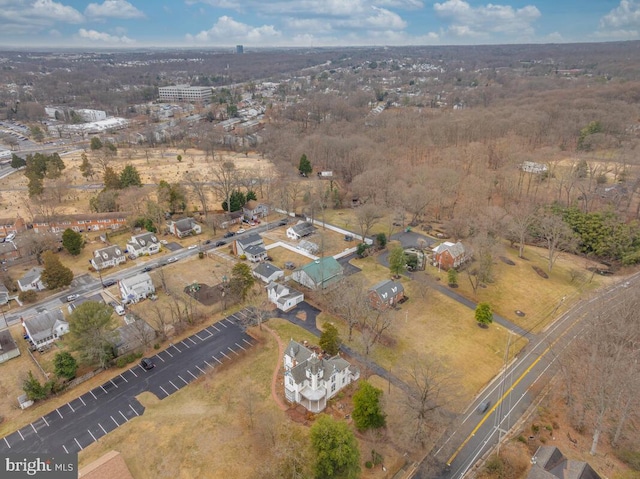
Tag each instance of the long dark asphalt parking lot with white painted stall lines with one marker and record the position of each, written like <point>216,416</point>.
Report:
<point>82,421</point>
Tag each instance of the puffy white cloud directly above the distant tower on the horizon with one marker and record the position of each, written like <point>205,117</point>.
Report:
<point>228,31</point>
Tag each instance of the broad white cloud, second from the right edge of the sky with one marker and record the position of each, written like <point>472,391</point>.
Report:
<point>471,21</point>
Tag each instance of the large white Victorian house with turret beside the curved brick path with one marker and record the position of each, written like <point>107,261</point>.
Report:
<point>311,380</point>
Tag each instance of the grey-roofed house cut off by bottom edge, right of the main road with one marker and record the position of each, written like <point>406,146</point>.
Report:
<point>549,463</point>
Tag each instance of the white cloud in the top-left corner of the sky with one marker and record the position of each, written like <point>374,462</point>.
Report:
<point>34,16</point>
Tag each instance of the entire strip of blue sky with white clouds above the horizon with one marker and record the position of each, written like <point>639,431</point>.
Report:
<point>305,23</point>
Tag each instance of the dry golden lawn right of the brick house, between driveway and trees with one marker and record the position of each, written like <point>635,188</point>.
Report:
<point>520,288</point>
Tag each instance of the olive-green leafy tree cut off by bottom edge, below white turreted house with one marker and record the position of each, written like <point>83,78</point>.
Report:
<point>336,449</point>
